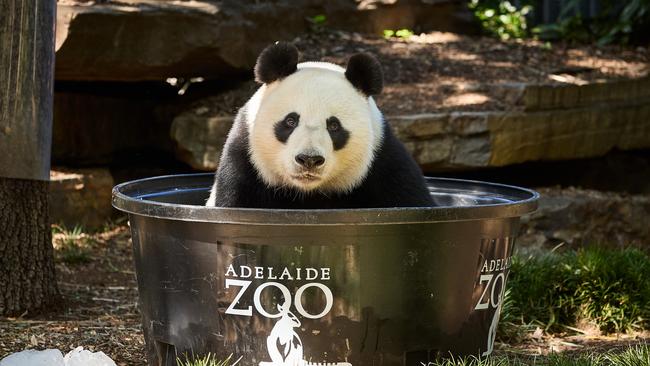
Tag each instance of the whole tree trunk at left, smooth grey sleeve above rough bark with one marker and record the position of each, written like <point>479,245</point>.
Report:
<point>27,281</point>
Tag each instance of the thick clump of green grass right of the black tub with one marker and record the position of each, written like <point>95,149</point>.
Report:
<point>605,287</point>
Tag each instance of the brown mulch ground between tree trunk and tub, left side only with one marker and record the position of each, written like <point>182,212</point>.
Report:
<point>100,309</point>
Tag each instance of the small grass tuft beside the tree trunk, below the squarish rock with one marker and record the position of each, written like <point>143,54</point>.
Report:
<point>72,246</point>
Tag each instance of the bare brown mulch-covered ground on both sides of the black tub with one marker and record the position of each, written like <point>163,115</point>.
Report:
<point>100,310</point>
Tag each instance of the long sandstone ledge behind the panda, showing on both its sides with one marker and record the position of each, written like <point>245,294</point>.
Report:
<point>463,140</point>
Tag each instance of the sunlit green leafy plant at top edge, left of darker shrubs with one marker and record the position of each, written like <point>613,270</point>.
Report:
<point>501,18</point>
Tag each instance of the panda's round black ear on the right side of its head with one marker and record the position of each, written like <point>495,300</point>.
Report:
<point>364,72</point>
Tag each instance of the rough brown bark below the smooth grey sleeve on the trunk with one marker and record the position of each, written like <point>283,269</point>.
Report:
<point>27,276</point>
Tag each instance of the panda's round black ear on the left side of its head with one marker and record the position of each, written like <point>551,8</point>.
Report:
<point>276,62</point>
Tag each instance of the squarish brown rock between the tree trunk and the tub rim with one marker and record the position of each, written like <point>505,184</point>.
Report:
<point>80,197</point>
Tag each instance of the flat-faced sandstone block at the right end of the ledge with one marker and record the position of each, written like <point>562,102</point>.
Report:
<point>517,137</point>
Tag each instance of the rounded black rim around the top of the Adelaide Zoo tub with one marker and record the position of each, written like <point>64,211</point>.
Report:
<point>133,205</point>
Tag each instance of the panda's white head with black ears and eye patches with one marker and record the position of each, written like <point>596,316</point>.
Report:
<point>314,125</point>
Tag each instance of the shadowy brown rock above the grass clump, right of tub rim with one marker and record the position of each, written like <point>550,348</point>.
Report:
<point>578,217</point>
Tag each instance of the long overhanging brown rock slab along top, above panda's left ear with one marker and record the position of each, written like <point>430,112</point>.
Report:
<point>154,40</point>
